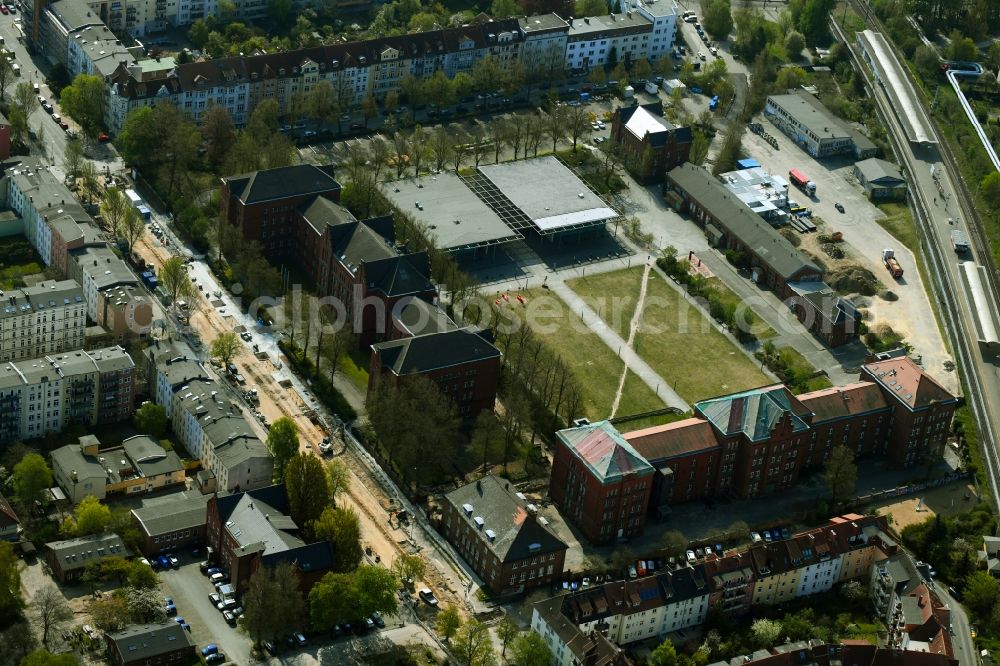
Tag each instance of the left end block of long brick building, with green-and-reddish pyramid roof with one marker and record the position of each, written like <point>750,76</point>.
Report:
<point>601,482</point>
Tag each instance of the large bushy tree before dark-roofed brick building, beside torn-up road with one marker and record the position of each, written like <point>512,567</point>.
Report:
<point>416,423</point>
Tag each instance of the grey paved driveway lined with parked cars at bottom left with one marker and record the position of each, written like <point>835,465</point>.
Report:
<point>189,589</point>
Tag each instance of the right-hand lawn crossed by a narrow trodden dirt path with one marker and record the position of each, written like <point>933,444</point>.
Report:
<point>674,338</point>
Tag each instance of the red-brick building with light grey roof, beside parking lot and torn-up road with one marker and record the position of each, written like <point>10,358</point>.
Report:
<point>249,530</point>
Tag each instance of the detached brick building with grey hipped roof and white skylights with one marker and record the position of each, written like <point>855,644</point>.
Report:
<point>500,535</point>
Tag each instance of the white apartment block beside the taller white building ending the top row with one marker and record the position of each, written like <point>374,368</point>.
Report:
<point>602,41</point>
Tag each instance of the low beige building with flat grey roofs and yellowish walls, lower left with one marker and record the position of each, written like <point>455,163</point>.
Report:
<point>139,465</point>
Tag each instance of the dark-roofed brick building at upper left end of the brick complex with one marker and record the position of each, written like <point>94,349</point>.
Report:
<point>264,204</point>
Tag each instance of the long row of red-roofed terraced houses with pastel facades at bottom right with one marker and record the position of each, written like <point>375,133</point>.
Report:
<point>680,596</point>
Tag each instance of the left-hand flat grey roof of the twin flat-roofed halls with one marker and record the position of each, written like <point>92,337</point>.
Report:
<point>452,213</point>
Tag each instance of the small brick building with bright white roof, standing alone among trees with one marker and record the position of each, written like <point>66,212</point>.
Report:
<point>650,145</point>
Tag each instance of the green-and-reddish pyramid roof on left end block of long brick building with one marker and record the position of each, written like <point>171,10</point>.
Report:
<point>608,455</point>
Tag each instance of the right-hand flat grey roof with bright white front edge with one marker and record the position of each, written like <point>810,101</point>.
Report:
<point>548,193</point>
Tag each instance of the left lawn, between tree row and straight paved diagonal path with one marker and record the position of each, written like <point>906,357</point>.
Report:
<point>595,365</point>
